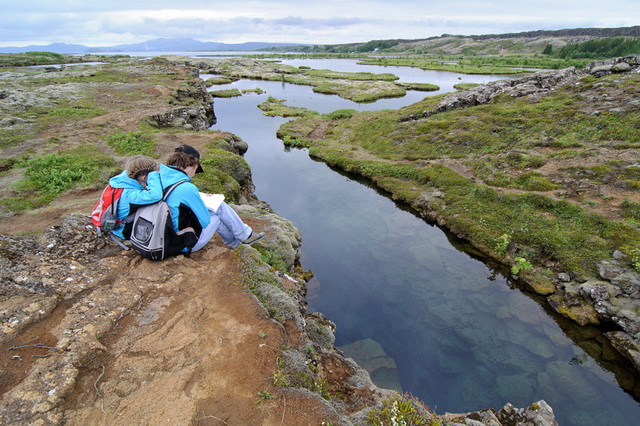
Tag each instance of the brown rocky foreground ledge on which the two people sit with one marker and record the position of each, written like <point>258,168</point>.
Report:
<point>75,308</point>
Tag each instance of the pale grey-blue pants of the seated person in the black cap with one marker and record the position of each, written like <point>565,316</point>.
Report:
<point>226,222</point>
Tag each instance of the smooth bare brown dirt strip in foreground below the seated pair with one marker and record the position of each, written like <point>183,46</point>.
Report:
<point>197,352</point>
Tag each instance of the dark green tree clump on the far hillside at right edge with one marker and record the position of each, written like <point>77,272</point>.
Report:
<point>597,48</point>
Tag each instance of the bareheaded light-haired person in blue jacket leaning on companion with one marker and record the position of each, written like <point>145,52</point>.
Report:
<point>141,185</point>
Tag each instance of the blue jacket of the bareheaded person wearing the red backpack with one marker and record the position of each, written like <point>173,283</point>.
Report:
<point>135,194</point>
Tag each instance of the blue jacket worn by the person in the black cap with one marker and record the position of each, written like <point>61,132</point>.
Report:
<point>184,195</point>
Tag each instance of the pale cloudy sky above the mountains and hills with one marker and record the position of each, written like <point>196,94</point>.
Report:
<point>112,22</point>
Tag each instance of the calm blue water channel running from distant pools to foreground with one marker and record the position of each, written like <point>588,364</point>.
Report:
<point>438,323</point>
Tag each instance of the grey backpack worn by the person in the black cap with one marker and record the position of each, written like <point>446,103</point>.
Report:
<point>152,232</point>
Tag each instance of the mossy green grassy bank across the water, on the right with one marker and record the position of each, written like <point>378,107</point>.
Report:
<point>502,175</point>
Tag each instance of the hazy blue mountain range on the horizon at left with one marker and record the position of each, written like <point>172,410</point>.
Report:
<point>156,45</point>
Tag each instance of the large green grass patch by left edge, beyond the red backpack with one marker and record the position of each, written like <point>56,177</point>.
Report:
<point>47,176</point>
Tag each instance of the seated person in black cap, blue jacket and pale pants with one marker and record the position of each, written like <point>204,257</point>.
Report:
<point>188,209</point>
